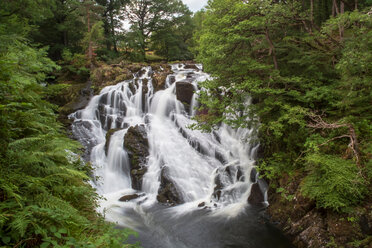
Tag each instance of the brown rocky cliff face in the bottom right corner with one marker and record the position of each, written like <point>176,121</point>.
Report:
<point>308,226</point>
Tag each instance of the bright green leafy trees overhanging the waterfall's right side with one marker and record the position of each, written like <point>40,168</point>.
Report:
<point>292,65</point>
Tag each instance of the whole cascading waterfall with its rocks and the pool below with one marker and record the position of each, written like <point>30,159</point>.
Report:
<point>190,189</point>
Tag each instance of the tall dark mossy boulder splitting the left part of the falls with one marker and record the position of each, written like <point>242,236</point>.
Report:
<point>137,145</point>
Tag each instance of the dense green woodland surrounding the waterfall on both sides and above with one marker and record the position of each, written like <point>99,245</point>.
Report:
<point>305,65</point>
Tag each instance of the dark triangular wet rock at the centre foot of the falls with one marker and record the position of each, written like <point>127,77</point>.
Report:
<point>168,193</point>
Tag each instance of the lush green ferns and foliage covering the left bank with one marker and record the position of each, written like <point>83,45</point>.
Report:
<point>45,197</point>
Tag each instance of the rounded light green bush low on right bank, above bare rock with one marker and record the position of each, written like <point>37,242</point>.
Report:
<point>333,182</point>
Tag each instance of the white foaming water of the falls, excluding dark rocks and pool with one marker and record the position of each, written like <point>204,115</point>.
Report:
<point>194,159</point>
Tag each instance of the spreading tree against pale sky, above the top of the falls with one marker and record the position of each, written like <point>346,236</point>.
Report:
<point>161,17</point>
